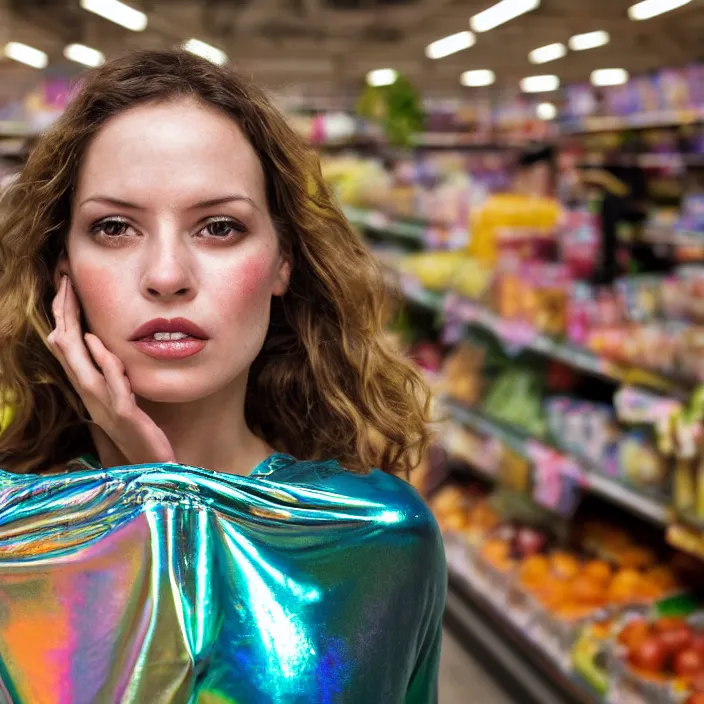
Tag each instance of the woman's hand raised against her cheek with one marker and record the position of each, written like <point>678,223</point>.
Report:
<point>133,437</point>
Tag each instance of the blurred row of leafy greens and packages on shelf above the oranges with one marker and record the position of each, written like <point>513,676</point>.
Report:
<point>522,396</point>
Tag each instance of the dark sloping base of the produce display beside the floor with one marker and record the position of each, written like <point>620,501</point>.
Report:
<point>487,626</point>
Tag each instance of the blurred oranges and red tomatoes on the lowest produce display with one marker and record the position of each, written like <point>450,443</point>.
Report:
<point>617,612</point>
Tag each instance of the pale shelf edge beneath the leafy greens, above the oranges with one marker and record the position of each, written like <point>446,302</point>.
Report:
<point>649,508</point>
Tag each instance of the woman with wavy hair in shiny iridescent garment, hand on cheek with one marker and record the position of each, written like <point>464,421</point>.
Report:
<point>215,318</point>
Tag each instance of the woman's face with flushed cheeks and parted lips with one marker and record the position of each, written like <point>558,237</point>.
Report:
<point>170,220</point>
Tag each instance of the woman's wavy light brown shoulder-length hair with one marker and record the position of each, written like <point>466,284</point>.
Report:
<point>327,383</point>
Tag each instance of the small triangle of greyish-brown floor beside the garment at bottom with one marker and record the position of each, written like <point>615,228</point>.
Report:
<point>463,680</point>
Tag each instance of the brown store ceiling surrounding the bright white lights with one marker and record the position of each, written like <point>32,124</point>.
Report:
<point>323,48</point>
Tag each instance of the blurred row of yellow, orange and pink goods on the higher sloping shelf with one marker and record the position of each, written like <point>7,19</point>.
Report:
<point>655,322</point>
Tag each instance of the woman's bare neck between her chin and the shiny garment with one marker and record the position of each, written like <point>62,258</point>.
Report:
<point>211,433</point>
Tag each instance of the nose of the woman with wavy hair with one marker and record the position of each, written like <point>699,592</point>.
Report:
<point>168,270</point>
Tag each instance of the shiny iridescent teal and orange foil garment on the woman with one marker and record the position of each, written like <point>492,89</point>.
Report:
<point>302,582</point>
